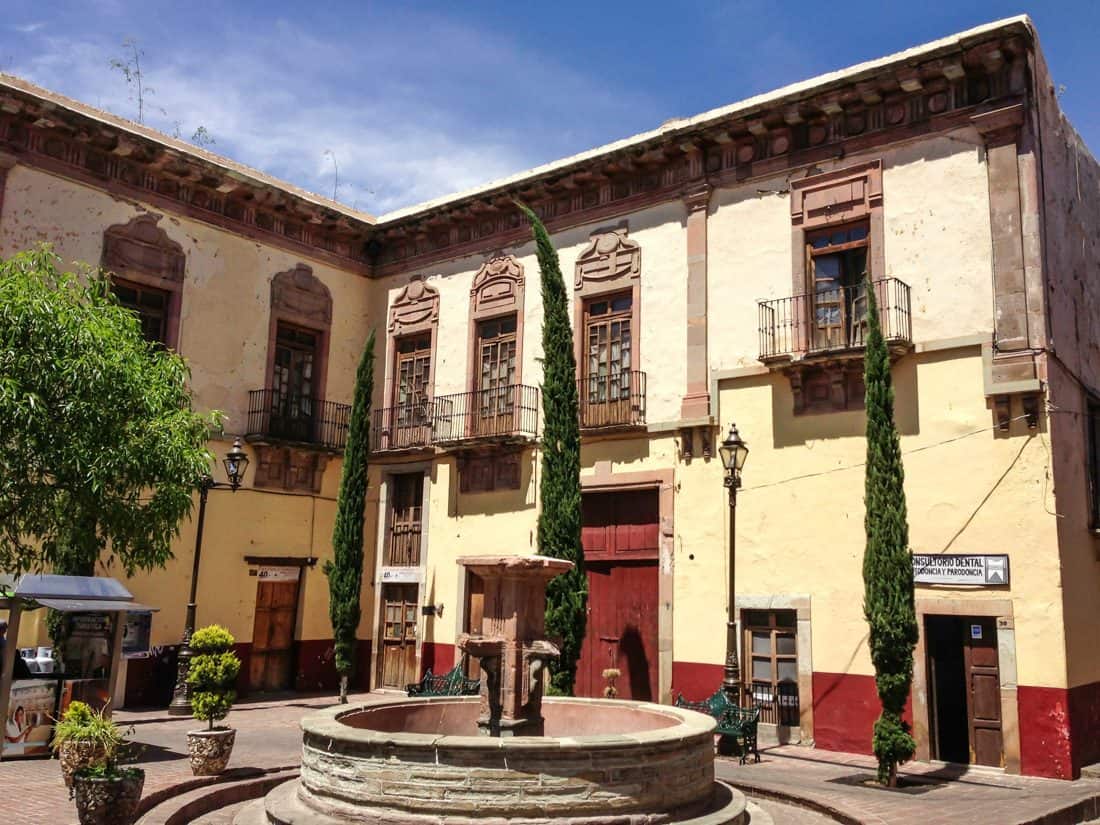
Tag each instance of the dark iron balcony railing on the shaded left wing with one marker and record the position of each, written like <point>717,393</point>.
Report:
<point>278,416</point>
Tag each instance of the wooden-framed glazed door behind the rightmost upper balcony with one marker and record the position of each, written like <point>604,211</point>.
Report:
<point>837,267</point>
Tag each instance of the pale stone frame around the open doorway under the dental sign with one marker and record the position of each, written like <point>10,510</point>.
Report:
<point>1002,611</point>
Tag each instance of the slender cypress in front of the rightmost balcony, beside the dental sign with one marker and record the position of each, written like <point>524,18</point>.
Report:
<point>888,568</point>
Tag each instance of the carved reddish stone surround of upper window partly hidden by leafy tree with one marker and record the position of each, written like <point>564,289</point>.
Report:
<point>141,252</point>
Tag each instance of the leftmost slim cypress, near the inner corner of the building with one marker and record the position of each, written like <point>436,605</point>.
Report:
<point>346,570</point>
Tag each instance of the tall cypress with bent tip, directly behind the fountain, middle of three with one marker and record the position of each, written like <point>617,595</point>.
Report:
<point>560,518</point>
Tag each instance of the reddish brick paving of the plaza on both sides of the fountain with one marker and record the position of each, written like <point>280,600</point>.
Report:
<point>831,785</point>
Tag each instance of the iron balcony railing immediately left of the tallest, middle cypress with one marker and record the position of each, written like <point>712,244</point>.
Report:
<point>505,413</point>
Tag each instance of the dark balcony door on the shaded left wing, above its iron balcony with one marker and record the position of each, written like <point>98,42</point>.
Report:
<point>292,415</point>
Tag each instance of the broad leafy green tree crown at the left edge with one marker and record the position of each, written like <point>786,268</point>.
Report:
<point>101,450</point>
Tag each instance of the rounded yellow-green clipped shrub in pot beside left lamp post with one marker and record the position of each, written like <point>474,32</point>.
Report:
<point>213,677</point>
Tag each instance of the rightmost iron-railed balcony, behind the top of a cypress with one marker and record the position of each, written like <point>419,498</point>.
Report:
<point>833,322</point>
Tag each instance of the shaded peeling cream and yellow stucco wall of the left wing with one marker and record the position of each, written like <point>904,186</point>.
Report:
<point>224,332</point>
